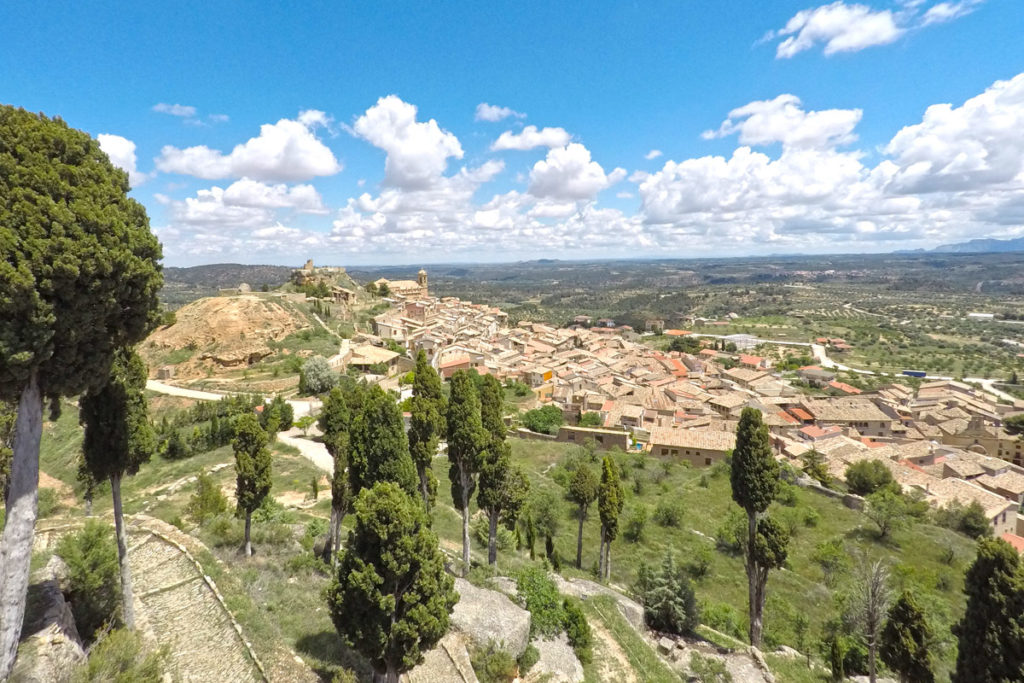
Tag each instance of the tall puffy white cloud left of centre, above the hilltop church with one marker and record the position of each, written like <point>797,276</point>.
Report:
<point>417,152</point>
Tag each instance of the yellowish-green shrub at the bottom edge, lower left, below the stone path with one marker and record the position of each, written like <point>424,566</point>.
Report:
<point>121,658</point>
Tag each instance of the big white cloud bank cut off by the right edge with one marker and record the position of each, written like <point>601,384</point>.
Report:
<point>971,147</point>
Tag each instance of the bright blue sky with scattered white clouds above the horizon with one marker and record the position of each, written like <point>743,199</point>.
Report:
<point>662,130</point>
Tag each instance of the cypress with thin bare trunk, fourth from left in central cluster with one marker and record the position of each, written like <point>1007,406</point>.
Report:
<point>467,444</point>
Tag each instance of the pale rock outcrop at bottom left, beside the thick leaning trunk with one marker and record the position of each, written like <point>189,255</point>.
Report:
<point>51,647</point>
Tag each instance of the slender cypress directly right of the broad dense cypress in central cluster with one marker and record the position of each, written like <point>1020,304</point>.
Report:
<point>426,425</point>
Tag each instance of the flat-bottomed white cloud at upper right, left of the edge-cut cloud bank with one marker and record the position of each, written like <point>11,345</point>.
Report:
<point>784,120</point>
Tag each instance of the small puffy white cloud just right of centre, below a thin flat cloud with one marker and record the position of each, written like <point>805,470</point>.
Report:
<point>569,174</point>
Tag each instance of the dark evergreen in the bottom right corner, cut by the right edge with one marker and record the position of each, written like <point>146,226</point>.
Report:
<point>992,631</point>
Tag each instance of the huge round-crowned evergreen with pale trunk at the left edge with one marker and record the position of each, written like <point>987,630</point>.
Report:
<point>79,280</point>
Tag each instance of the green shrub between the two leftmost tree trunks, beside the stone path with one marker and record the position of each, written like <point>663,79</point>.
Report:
<point>94,581</point>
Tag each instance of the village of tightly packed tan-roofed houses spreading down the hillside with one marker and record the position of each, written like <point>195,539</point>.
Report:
<point>945,440</point>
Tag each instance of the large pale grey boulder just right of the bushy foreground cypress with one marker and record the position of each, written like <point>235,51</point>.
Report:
<point>486,616</point>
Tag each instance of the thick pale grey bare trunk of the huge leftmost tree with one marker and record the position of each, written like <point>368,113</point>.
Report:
<point>22,507</point>
